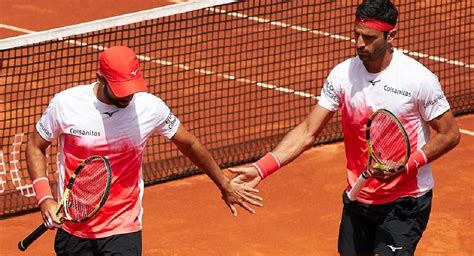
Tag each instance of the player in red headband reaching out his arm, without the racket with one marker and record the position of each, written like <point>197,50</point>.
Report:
<point>392,211</point>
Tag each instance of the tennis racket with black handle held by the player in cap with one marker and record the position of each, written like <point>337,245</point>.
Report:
<point>85,193</point>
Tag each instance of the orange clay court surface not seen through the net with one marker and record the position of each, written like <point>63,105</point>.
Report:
<point>302,202</point>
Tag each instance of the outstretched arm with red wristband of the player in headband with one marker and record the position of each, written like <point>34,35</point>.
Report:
<point>295,142</point>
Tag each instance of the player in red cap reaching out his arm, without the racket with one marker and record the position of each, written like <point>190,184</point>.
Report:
<point>113,117</point>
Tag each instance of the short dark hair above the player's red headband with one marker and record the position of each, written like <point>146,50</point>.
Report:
<point>383,10</point>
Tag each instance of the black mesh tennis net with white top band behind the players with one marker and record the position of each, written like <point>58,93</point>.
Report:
<point>239,74</point>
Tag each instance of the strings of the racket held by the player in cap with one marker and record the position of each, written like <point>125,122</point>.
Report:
<point>88,190</point>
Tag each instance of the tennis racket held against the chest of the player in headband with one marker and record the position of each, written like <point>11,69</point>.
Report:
<point>388,146</point>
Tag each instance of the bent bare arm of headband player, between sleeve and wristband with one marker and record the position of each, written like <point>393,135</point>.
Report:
<point>446,138</point>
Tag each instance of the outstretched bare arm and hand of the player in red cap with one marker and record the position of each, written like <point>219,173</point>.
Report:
<point>232,193</point>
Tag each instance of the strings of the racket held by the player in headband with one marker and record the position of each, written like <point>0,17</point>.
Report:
<point>388,142</point>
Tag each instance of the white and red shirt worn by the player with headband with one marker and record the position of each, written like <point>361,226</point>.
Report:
<point>407,89</point>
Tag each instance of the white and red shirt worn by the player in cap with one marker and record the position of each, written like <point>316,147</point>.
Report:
<point>85,126</point>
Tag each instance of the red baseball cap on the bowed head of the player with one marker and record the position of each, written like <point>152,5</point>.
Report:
<point>120,66</point>
